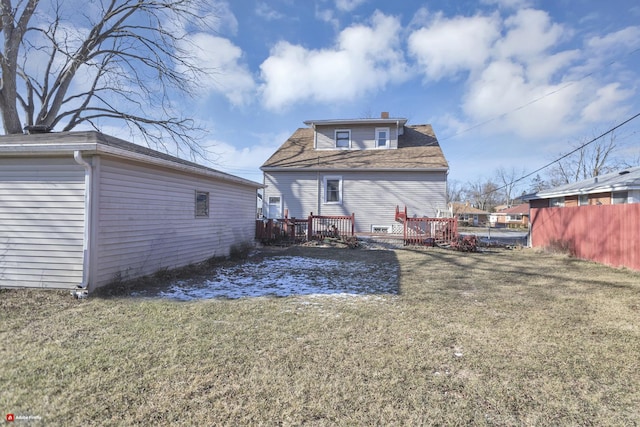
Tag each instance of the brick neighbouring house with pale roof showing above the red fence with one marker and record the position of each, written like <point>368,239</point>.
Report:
<point>609,189</point>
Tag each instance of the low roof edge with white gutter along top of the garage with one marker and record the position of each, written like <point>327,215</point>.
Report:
<point>93,143</point>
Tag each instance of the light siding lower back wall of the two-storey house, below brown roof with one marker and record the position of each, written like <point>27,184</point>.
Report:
<point>372,196</point>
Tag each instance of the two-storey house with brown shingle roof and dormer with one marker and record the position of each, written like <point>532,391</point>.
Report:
<point>363,166</point>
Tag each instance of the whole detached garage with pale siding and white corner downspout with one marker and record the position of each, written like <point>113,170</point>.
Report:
<point>83,209</point>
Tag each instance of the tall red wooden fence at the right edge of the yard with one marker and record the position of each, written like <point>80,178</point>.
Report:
<point>608,234</point>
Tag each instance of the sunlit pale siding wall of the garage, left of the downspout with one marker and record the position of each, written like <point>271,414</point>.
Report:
<point>41,222</point>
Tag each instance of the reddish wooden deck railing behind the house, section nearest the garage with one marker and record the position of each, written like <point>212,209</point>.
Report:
<point>297,230</point>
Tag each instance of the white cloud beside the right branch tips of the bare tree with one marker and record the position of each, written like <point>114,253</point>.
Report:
<point>228,75</point>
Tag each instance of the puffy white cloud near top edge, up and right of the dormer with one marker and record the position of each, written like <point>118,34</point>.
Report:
<point>450,46</point>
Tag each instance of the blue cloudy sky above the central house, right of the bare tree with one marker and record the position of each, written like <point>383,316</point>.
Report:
<point>508,84</point>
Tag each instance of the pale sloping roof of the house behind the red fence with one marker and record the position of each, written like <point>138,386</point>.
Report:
<point>627,179</point>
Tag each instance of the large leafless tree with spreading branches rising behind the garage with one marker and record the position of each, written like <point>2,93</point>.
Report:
<point>124,60</point>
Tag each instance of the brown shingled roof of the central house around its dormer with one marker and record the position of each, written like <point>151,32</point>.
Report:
<point>418,149</point>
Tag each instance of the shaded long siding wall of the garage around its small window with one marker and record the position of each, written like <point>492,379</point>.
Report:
<point>147,220</point>
